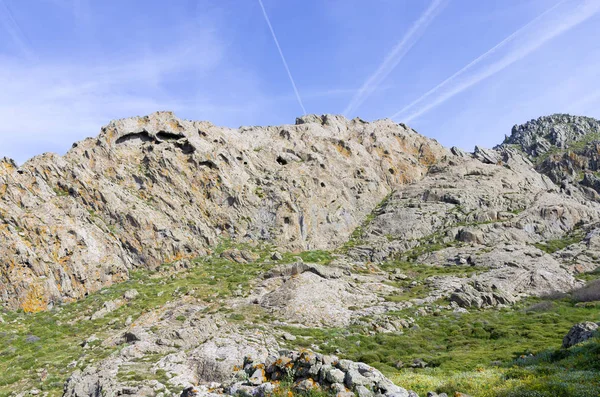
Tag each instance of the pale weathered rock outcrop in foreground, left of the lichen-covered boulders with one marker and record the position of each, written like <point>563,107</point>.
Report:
<point>203,349</point>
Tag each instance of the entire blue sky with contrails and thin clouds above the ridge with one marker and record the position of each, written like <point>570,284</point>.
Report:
<point>460,71</point>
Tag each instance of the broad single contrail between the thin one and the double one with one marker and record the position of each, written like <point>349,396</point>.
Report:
<point>395,55</point>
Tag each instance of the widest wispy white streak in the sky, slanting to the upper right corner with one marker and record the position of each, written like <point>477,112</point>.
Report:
<point>558,19</point>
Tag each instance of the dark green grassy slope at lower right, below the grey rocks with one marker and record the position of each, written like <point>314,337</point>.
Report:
<point>474,353</point>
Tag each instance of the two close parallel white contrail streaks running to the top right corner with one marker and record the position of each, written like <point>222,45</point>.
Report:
<point>547,32</point>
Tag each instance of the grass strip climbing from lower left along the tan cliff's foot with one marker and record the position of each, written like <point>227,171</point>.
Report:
<point>63,329</point>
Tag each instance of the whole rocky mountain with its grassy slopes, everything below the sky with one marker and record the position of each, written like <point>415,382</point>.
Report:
<point>166,254</point>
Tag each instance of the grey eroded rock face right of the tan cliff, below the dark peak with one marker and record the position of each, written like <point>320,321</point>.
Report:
<point>491,211</point>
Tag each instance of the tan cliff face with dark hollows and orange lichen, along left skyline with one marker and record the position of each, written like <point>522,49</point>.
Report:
<point>155,189</point>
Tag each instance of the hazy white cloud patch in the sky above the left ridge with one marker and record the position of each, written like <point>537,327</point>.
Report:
<point>50,103</point>
